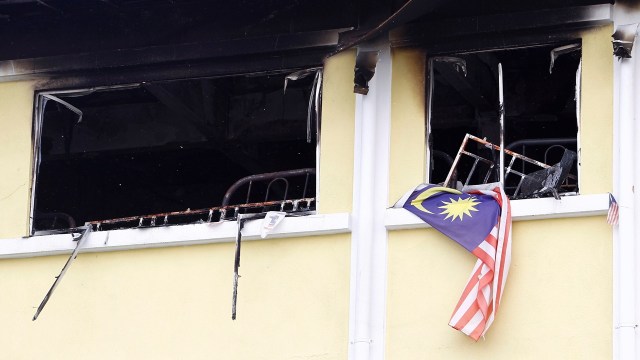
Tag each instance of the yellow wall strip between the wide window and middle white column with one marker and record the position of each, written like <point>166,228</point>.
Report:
<point>337,134</point>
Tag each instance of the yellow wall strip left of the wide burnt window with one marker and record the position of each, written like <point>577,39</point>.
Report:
<point>16,107</point>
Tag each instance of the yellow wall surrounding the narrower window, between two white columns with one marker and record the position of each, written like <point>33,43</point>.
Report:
<point>558,299</point>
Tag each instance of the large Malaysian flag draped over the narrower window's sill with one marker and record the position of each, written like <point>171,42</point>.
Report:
<point>479,219</point>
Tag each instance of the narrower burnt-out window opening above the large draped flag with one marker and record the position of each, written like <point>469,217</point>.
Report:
<point>540,112</point>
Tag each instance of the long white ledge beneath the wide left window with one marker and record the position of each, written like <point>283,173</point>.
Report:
<point>177,235</point>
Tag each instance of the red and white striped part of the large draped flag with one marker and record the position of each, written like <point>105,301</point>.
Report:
<point>481,297</point>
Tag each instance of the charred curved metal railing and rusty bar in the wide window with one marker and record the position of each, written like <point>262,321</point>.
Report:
<point>225,211</point>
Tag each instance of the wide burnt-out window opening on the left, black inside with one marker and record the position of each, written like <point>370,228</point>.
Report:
<point>169,146</point>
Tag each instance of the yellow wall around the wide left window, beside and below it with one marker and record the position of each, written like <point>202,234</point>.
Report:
<point>175,303</point>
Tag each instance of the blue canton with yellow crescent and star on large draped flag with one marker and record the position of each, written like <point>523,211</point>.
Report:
<point>470,230</point>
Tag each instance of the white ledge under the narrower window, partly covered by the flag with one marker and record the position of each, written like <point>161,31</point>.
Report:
<point>521,210</point>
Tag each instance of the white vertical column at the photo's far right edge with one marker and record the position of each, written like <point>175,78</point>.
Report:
<point>627,173</point>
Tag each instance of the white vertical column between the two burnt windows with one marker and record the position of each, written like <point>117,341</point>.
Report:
<point>369,235</point>
